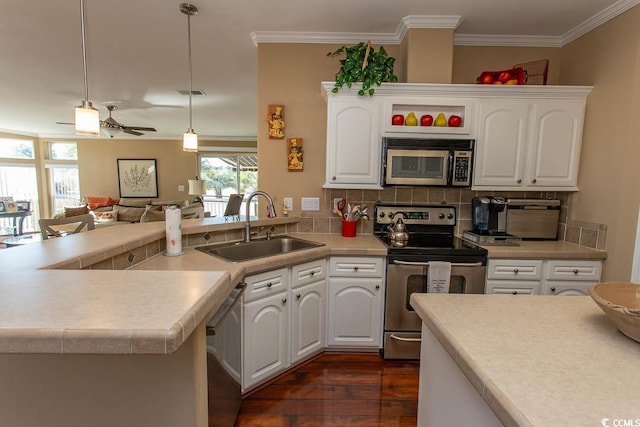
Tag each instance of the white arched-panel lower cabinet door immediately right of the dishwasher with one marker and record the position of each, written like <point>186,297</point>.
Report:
<point>265,339</point>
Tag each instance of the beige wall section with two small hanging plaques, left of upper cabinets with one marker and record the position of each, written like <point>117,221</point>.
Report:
<point>290,75</point>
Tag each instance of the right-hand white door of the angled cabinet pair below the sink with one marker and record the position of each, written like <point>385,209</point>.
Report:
<point>307,320</point>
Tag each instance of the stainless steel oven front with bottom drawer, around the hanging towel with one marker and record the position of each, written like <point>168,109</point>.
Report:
<point>401,323</point>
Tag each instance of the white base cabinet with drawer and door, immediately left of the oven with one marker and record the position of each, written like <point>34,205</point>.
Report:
<point>355,313</point>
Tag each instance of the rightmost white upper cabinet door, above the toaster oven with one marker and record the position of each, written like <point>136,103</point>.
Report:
<point>556,138</point>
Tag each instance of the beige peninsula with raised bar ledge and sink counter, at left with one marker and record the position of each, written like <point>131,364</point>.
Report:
<point>102,347</point>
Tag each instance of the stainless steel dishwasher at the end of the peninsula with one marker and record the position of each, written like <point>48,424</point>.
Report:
<point>224,361</point>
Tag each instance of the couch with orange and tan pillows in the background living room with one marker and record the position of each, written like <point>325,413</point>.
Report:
<point>108,211</point>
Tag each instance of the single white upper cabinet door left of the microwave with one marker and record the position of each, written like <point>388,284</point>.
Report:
<point>353,143</point>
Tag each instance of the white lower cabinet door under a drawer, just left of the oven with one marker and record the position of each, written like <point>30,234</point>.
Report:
<point>355,312</point>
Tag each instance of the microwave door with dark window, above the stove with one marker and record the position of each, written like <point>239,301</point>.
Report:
<point>417,167</point>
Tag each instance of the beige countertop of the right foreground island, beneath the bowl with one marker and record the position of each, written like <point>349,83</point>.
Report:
<point>538,360</point>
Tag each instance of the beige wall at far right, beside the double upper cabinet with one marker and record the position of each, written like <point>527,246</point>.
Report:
<point>609,59</point>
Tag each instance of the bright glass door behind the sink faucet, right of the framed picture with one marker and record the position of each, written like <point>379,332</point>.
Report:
<point>227,174</point>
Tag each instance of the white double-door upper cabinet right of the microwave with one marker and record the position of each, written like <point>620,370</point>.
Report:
<point>529,144</point>
